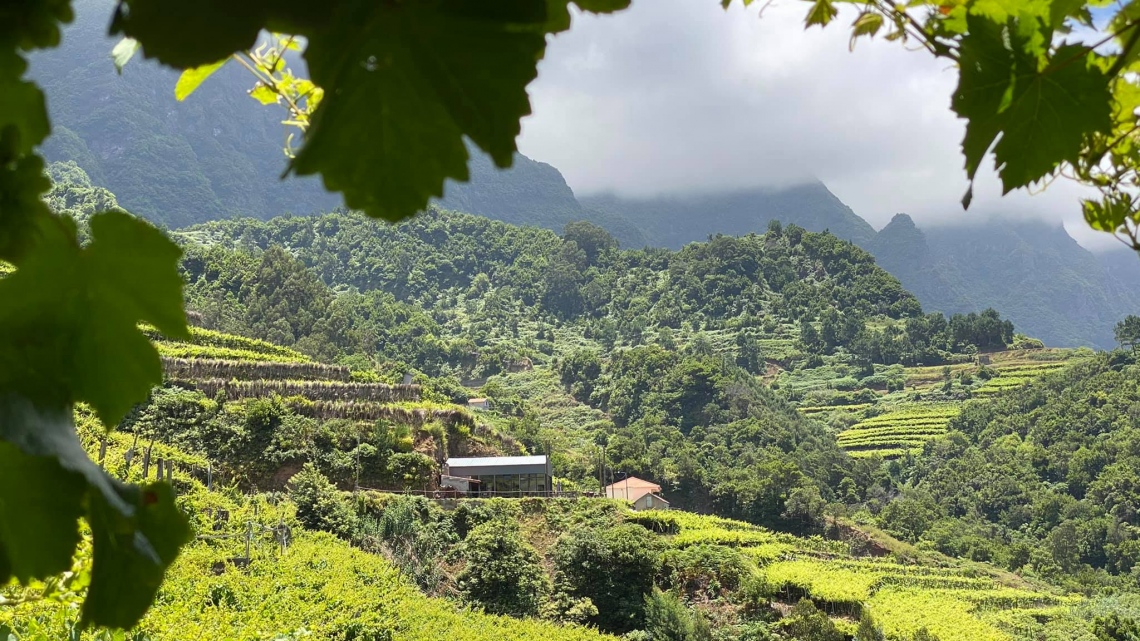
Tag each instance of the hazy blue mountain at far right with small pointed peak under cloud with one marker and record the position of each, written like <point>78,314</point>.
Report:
<point>1036,274</point>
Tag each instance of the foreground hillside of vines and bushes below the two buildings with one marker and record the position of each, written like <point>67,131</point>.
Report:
<point>412,570</point>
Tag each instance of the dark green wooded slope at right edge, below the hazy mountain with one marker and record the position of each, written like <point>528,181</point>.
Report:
<point>1041,477</point>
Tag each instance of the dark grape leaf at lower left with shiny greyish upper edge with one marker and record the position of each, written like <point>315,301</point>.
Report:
<point>50,482</point>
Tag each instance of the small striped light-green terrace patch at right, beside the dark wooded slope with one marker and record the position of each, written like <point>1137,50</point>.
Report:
<point>898,433</point>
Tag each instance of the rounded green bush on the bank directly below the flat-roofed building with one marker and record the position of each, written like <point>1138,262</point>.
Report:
<point>503,575</point>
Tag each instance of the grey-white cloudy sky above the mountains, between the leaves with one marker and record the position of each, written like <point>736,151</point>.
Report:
<point>683,96</point>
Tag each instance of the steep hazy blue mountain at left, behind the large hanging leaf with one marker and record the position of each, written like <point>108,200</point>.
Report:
<point>218,155</point>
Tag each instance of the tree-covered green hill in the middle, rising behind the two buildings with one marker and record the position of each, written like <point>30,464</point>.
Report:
<point>673,339</point>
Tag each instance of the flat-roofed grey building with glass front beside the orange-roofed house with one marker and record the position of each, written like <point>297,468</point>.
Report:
<point>501,476</point>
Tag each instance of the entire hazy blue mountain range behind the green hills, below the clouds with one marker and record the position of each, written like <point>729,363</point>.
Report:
<point>218,156</point>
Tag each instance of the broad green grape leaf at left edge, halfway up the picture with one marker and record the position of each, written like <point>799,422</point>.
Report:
<point>69,328</point>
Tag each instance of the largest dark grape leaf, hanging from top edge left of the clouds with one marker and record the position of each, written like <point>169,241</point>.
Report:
<point>422,76</point>
